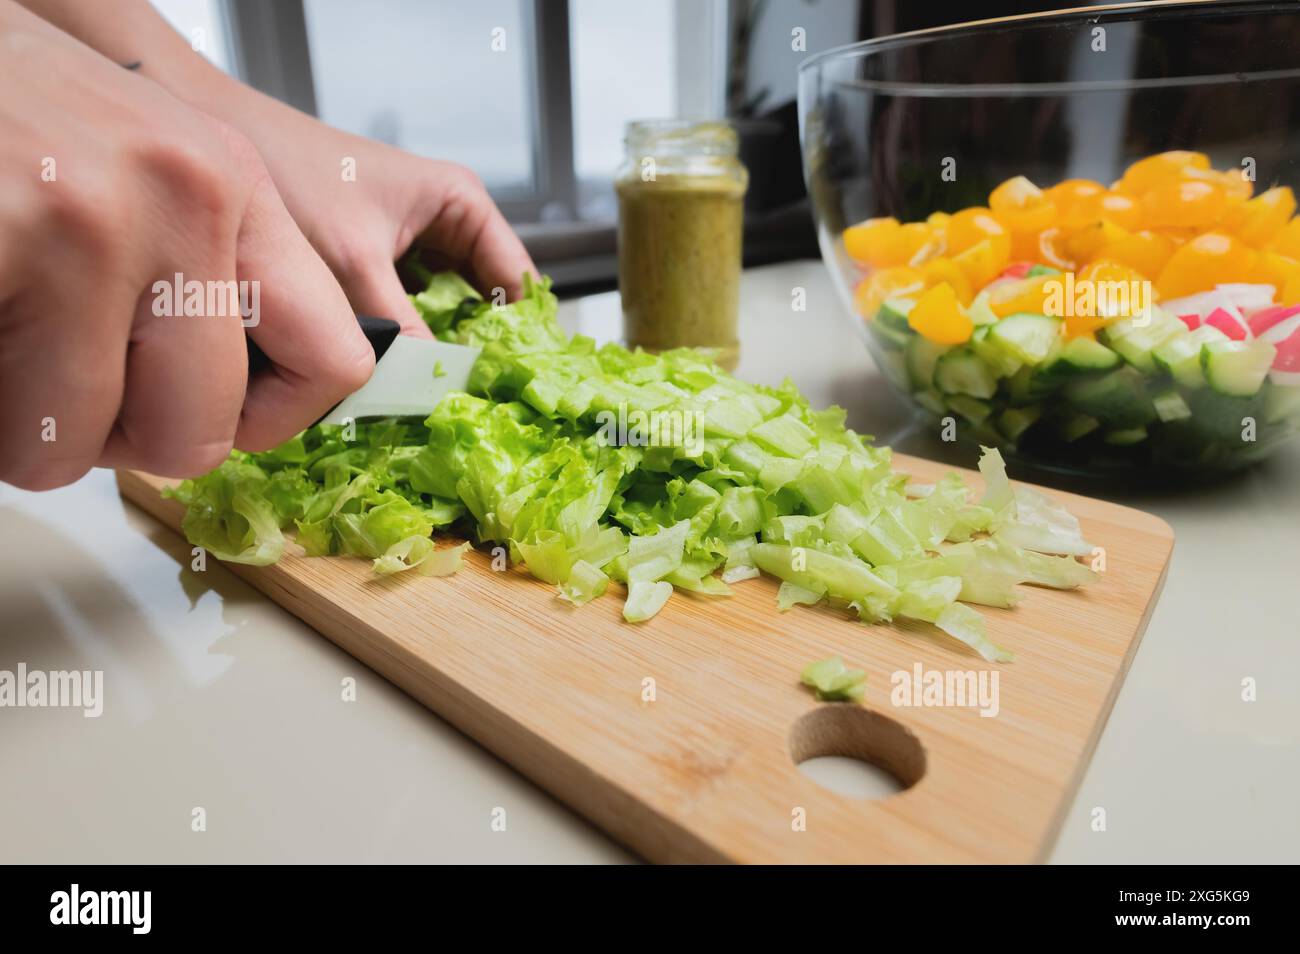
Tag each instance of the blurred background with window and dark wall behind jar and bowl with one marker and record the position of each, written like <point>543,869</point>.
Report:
<point>535,94</point>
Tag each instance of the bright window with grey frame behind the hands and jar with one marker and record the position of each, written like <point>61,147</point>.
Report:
<point>534,96</point>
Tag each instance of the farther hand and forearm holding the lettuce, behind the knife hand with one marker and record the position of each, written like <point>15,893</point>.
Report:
<point>361,203</point>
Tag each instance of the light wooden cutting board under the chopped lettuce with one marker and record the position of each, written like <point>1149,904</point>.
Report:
<point>707,771</point>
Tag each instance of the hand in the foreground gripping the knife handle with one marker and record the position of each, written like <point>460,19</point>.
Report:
<point>111,187</point>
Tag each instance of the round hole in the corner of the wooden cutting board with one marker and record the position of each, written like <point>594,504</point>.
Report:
<point>856,752</point>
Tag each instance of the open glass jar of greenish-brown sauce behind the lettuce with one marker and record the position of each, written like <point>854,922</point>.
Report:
<point>681,218</point>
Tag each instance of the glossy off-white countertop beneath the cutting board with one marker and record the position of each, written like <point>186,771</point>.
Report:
<point>218,699</point>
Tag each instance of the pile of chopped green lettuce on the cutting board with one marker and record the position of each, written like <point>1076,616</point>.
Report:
<point>591,465</point>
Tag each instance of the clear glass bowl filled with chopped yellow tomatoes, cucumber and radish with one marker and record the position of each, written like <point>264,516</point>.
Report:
<point>931,123</point>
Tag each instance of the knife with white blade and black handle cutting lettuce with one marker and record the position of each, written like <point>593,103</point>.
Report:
<point>411,375</point>
